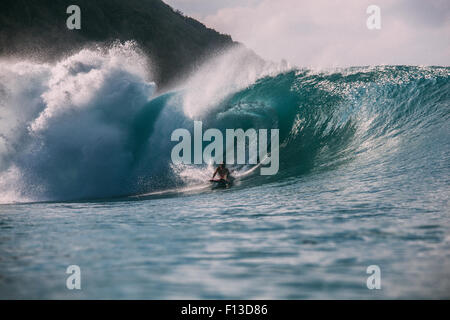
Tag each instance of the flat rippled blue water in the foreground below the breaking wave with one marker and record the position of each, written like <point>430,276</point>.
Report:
<point>302,238</point>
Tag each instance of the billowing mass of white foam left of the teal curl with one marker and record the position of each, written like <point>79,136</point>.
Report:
<point>63,124</point>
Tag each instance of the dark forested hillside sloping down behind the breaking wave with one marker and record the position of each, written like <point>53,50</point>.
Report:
<point>37,28</point>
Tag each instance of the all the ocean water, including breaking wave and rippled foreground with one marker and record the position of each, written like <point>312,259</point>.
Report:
<point>86,179</point>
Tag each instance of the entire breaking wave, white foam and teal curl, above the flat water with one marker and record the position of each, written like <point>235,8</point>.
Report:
<point>90,126</point>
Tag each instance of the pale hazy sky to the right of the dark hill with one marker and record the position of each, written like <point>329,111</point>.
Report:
<point>326,33</point>
